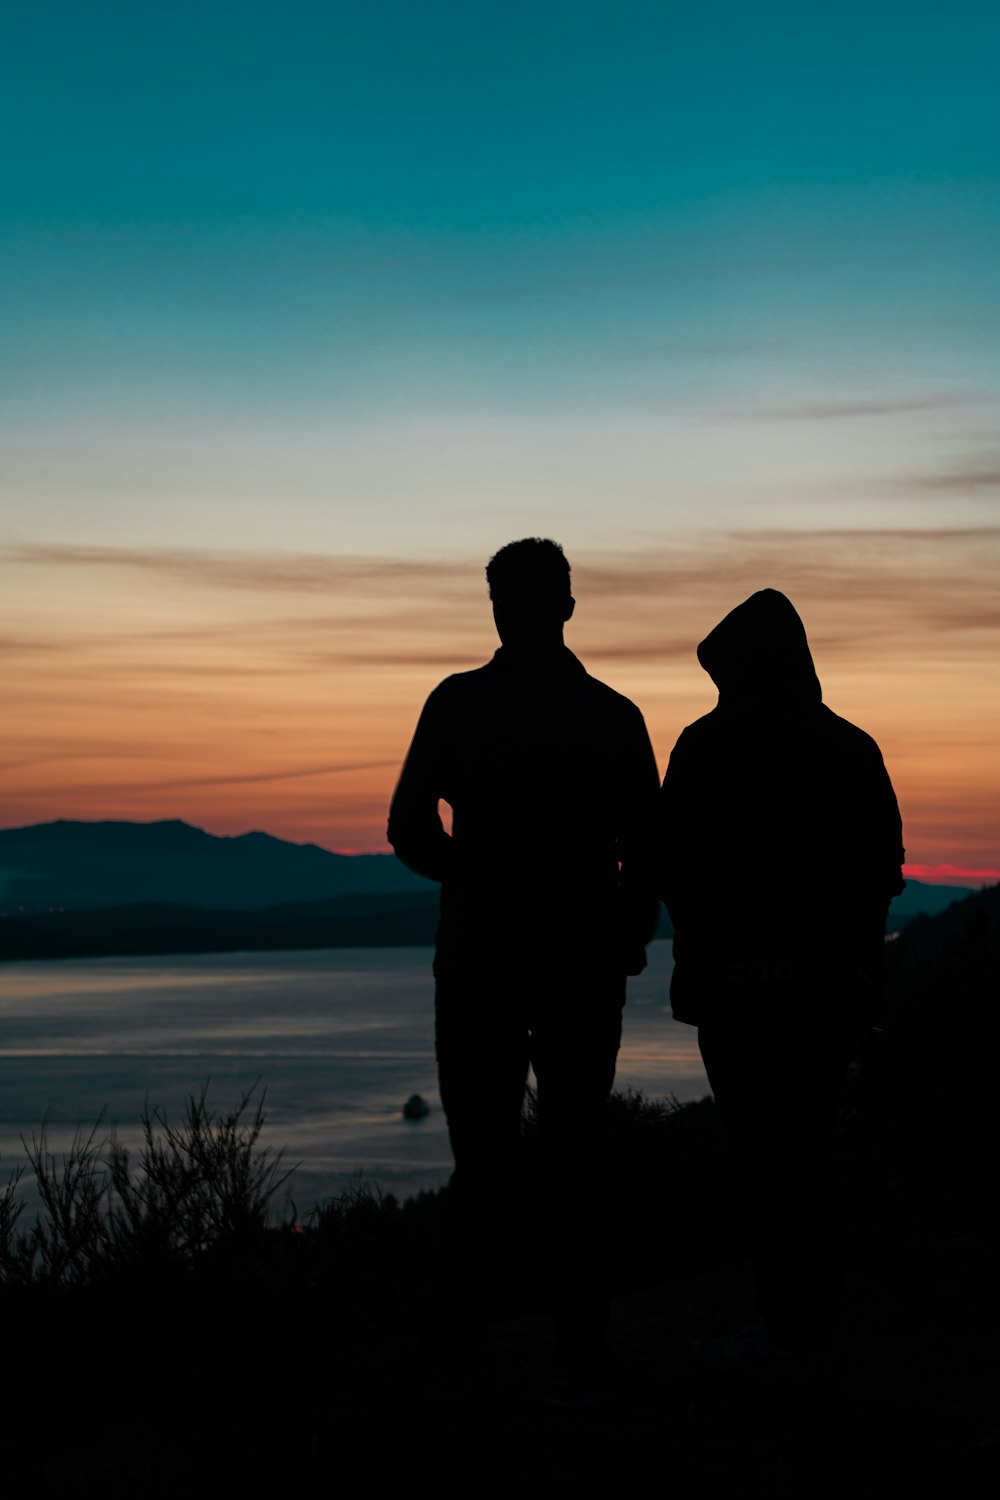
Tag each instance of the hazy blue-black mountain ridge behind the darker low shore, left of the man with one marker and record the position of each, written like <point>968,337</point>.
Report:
<point>82,866</point>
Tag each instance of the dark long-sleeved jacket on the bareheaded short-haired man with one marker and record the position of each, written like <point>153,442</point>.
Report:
<point>552,784</point>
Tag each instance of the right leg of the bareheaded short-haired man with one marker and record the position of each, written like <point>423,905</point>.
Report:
<point>576,1033</point>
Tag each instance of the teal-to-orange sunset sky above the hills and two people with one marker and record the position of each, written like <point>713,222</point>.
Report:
<point>310,310</point>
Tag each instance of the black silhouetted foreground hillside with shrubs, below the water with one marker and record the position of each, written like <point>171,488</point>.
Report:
<point>184,1348</point>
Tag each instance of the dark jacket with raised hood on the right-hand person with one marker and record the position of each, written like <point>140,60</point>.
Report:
<point>779,835</point>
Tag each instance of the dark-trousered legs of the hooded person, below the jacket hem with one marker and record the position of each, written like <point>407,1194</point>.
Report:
<point>777,1084</point>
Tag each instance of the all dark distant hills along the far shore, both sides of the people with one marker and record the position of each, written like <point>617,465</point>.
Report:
<point>79,890</point>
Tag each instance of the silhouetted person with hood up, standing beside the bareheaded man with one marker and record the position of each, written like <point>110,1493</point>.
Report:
<point>780,850</point>
